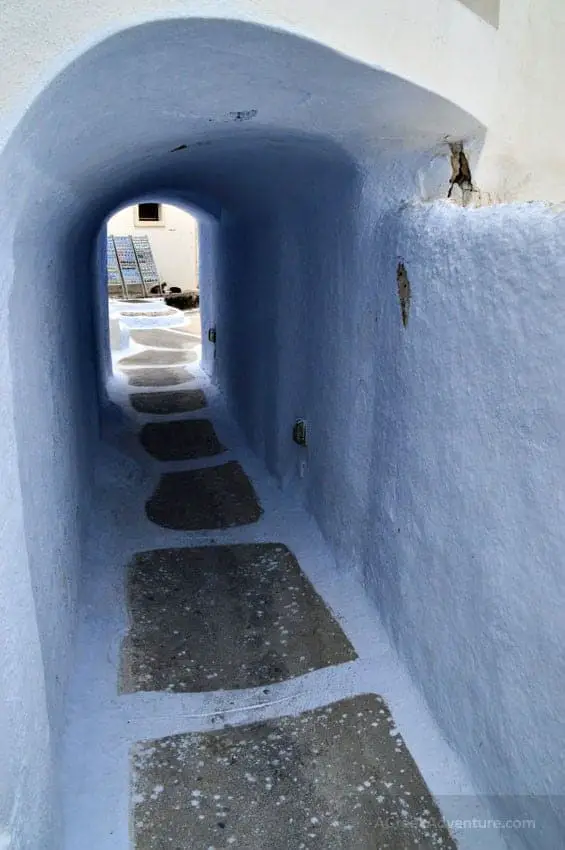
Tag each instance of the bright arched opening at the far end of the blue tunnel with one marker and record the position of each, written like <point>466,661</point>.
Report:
<point>150,287</point>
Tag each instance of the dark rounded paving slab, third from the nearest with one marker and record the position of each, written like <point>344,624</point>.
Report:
<point>200,499</point>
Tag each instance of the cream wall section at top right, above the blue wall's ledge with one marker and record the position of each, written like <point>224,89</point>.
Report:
<point>524,157</point>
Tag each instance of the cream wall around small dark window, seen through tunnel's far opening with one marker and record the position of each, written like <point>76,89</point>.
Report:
<point>174,243</point>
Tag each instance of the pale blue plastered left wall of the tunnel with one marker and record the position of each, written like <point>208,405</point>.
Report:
<point>47,424</point>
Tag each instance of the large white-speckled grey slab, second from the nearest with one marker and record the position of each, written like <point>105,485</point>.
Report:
<point>225,617</point>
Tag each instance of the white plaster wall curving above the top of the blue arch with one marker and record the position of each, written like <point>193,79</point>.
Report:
<point>384,35</point>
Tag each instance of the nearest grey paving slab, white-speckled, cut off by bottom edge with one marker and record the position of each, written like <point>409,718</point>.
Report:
<point>337,778</point>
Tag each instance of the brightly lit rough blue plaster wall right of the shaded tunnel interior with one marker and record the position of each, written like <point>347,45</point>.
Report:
<point>470,464</point>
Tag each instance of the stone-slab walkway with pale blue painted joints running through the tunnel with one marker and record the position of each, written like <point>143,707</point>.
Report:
<point>221,699</point>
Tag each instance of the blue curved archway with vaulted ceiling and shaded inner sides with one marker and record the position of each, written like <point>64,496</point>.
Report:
<point>295,151</point>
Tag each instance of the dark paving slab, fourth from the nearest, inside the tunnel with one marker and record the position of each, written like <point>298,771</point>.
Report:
<point>185,440</point>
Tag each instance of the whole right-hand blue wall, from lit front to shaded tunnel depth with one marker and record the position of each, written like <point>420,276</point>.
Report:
<point>435,458</point>
